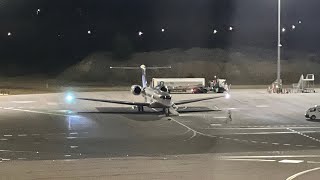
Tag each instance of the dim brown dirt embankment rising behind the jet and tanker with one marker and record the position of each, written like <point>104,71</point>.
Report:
<point>248,66</point>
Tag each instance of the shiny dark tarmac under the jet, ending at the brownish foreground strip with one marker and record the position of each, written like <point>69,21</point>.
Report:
<point>40,127</point>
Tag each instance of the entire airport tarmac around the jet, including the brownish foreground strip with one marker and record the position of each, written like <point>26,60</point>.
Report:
<point>251,135</point>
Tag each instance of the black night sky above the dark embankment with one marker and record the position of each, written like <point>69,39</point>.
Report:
<point>47,35</point>
